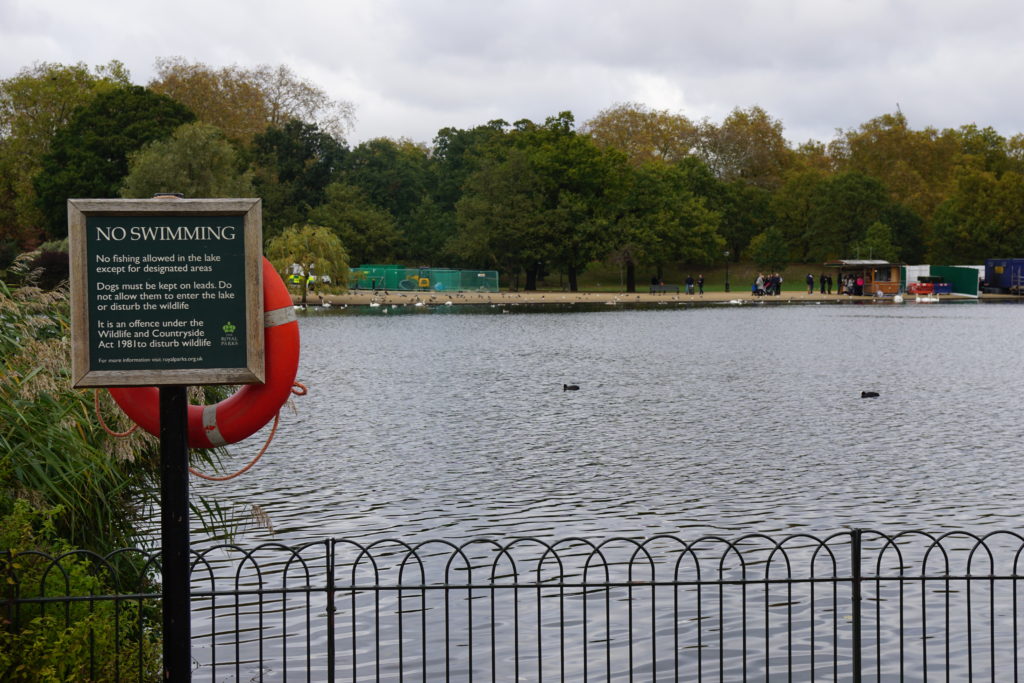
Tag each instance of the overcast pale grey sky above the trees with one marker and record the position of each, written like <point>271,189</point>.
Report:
<point>413,67</point>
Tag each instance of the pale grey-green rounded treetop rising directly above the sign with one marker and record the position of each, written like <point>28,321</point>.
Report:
<point>196,161</point>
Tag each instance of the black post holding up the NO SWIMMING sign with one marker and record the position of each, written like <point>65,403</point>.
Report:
<point>175,532</point>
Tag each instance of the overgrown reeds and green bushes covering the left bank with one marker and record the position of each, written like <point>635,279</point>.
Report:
<point>66,484</point>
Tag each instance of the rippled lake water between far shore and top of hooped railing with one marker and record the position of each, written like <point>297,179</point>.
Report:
<point>689,420</point>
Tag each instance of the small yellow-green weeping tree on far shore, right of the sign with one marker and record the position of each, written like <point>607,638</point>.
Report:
<point>316,249</point>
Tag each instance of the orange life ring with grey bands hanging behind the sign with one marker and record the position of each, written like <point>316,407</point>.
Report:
<point>242,414</point>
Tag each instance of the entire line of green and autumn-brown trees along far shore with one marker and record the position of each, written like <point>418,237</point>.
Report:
<point>636,187</point>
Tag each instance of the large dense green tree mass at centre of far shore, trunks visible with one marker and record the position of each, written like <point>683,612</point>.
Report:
<point>547,197</point>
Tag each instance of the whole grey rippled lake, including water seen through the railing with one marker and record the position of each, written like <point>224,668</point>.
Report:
<point>452,423</point>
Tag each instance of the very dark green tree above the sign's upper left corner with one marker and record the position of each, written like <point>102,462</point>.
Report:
<point>90,156</point>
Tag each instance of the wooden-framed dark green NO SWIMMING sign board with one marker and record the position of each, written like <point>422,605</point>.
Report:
<point>166,292</point>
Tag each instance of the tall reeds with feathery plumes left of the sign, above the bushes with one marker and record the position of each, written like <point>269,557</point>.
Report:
<point>53,452</point>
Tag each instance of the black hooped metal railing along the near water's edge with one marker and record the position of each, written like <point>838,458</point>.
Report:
<point>856,606</point>
